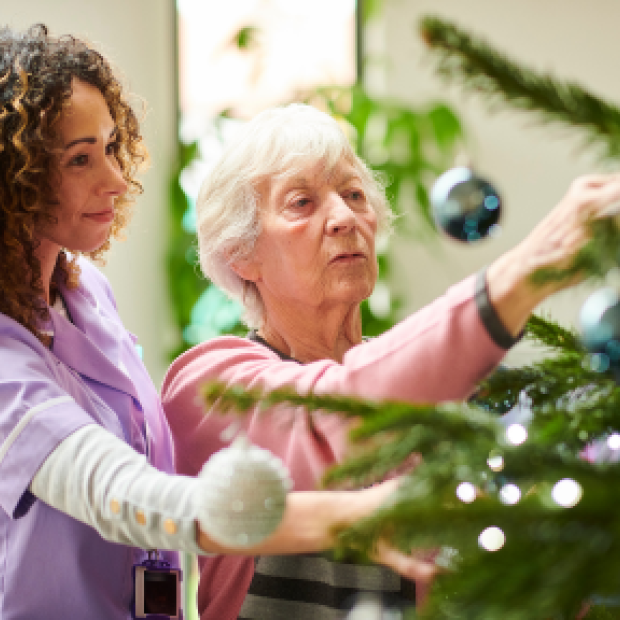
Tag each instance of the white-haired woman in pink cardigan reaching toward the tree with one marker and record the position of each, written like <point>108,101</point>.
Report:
<point>287,222</point>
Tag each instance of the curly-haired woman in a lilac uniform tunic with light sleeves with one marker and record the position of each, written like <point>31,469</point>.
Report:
<point>86,466</point>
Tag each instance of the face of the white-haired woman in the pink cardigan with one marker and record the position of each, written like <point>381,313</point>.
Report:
<point>317,243</point>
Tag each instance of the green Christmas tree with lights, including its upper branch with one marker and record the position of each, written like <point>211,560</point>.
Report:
<point>521,506</point>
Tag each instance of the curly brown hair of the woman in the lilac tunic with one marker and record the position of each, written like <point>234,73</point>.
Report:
<point>36,75</point>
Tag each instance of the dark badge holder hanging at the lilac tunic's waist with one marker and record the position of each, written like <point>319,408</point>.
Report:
<point>156,590</point>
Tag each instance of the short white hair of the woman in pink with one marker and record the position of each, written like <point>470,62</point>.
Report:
<point>278,142</point>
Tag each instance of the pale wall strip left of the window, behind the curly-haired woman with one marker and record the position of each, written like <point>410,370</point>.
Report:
<point>138,36</point>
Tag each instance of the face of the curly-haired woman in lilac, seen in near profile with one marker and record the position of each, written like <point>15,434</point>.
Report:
<point>87,177</point>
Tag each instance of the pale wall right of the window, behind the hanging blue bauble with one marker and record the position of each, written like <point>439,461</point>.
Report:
<point>531,165</point>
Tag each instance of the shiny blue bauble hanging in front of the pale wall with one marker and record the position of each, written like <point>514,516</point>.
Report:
<point>464,206</point>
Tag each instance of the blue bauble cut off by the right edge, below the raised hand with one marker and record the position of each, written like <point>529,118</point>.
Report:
<point>600,330</point>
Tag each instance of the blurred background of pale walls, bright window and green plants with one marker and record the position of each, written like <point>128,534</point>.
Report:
<point>200,68</point>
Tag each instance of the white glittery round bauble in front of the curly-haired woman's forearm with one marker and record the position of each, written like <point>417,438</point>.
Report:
<point>245,488</point>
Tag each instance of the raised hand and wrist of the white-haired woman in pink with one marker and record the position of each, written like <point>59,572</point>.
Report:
<point>553,243</point>
